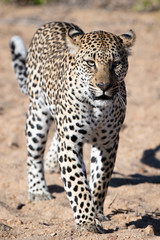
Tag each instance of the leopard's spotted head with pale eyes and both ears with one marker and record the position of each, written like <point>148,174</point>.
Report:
<point>99,62</point>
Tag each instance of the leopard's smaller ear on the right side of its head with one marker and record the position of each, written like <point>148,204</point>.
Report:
<point>128,38</point>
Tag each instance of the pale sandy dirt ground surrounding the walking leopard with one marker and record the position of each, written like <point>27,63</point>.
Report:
<point>133,200</point>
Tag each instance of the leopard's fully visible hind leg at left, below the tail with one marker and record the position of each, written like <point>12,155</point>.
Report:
<point>37,126</point>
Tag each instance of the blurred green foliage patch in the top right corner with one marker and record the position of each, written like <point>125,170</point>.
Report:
<point>147,5</point>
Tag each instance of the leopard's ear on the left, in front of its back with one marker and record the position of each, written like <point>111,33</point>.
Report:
<point>73,39</point>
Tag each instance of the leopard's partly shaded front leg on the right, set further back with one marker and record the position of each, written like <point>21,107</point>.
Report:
<point>102,165</point>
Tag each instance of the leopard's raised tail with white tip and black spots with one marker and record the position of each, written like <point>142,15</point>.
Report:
<point>19,54</point>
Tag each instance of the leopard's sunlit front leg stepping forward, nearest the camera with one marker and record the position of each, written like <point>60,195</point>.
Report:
<point>76,185</point>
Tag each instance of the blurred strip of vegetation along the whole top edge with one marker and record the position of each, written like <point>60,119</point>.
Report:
<point>136,5</point>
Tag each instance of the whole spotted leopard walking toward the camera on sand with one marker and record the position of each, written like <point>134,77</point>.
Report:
<point>76,80</point>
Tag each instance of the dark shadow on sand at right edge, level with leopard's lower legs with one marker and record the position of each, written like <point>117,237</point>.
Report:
<point>149,158</point>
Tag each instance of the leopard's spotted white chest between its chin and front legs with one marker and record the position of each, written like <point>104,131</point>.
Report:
<point>90,124</point>
